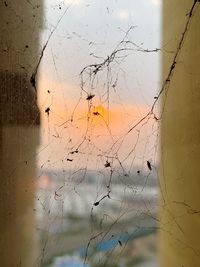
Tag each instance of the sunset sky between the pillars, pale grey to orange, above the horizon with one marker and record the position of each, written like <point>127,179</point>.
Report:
<point>121,93</point>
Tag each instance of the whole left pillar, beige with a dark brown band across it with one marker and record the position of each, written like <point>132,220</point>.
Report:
<point>19,131</point>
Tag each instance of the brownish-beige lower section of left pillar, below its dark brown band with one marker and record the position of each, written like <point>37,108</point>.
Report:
<point>18,228</point>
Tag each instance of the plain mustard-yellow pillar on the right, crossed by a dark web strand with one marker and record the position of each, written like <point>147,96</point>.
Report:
<point>180,137</point>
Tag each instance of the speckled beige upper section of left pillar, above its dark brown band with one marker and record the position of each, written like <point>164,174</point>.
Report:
<point>19,34</point>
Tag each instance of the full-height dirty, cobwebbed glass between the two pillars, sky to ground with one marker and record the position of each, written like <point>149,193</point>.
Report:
<point>97,161</point>
